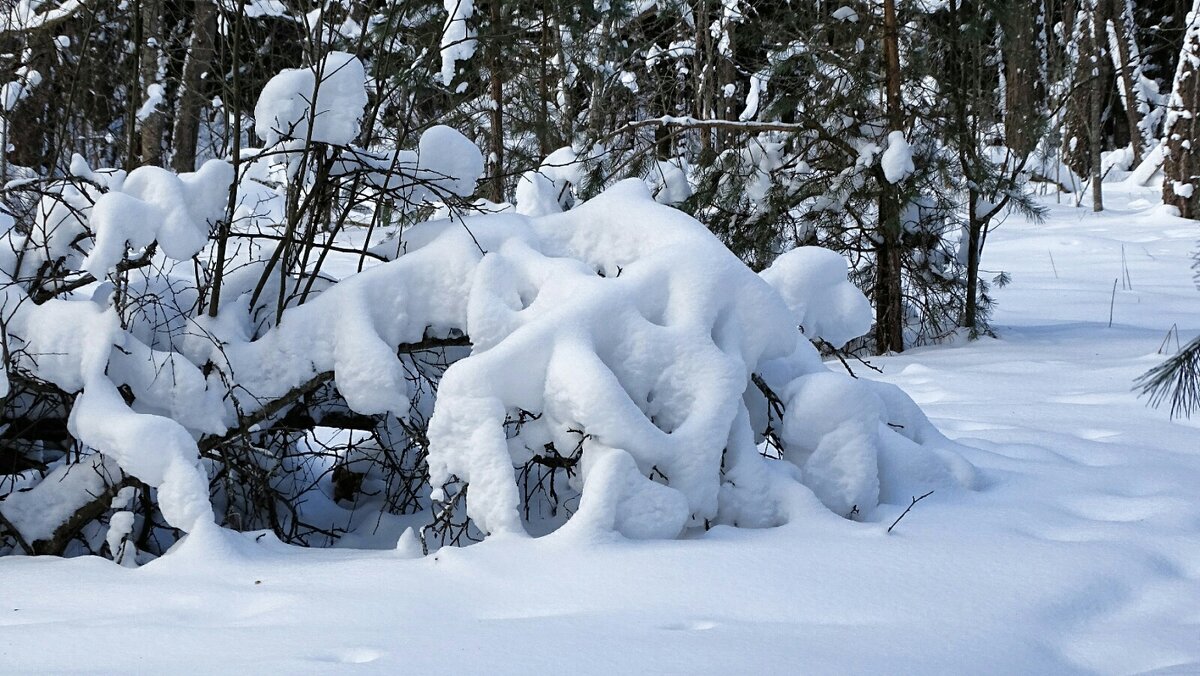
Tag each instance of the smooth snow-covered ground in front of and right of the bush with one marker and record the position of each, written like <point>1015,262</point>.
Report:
<point>1081,552</point>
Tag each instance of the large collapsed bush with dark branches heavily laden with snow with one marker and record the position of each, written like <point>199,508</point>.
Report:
<point>299,351</point>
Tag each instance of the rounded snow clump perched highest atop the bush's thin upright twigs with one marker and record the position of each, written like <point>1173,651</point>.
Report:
<point>323,104</point>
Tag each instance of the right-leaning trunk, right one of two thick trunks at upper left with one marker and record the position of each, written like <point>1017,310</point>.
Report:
<point>191,100</point>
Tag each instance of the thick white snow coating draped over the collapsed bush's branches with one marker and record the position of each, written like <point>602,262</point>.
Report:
<point>620,342</point>
